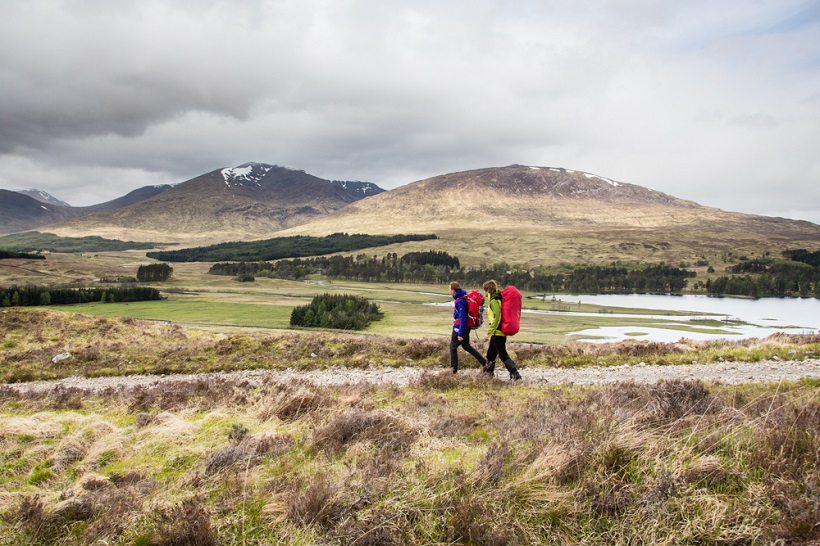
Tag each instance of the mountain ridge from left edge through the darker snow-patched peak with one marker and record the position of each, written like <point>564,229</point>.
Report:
<point>259,197</point>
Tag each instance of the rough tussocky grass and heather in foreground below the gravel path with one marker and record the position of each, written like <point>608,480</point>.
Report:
<point>449,459</point>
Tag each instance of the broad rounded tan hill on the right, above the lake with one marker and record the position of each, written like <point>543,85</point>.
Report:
<point>551,215</point>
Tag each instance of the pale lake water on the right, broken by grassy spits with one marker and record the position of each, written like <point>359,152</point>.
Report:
<point>761,317</point>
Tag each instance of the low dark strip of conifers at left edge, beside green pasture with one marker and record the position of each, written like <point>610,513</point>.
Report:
<point>44,295</point>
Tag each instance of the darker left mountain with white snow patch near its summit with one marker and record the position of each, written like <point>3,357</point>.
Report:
<point>252,200</point>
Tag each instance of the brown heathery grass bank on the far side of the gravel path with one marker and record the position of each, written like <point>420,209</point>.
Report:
<point>105,346</point>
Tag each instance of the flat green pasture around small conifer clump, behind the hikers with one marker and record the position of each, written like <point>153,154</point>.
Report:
<point>410,310</point>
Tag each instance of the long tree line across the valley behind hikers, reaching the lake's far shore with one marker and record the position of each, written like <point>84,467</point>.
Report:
<point>440,268</point>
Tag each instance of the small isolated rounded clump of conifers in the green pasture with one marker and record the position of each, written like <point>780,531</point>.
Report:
<point>339,311</point>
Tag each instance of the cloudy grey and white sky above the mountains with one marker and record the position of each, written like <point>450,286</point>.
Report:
<point>715,101</point>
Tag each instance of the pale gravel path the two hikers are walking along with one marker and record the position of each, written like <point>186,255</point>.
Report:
<point>767,371</point>
